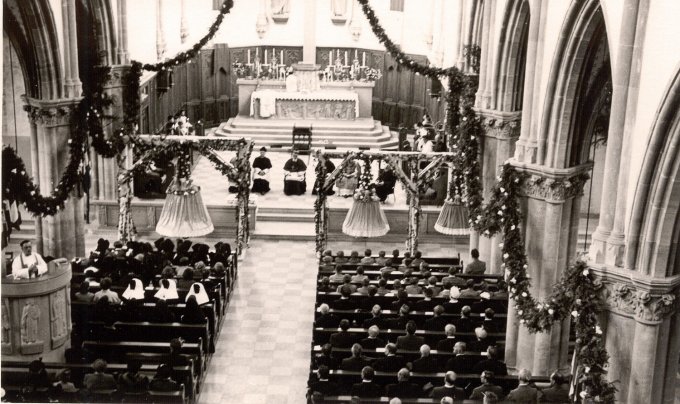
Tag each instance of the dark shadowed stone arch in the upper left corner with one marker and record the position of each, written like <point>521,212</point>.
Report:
<point>31,29</point>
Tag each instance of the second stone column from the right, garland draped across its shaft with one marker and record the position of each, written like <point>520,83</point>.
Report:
<point>550,207</point>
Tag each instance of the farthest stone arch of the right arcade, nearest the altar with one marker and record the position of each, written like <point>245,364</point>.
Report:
<point>511,57</point>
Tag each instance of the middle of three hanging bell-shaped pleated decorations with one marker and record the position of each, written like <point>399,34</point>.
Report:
<point>366,217</point>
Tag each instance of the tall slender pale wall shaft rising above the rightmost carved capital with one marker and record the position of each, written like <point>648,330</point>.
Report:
<point>600,250</point>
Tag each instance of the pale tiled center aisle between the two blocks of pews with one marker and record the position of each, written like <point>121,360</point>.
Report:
<point>262,354</point>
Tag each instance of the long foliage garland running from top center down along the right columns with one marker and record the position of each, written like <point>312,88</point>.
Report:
<point>576,294</point>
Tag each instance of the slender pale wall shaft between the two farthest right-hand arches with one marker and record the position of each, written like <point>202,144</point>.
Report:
<point>526,147</point>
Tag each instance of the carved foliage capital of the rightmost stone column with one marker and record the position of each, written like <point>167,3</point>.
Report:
<point>645,307</point>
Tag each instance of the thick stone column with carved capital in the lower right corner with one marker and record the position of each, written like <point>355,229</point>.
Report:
<point>642,337</point>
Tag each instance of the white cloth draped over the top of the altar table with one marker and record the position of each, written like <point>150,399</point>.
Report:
<point>268,99</point>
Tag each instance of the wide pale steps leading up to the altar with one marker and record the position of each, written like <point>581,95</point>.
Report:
<point>364,132</point>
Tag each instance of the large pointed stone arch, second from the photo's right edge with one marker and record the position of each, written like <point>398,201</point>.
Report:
<point>571,81</point>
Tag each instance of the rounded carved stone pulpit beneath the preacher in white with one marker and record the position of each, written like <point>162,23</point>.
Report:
<point>36,315</point>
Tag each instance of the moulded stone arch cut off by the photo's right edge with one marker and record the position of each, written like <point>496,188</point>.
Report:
<point>654,231</point>
